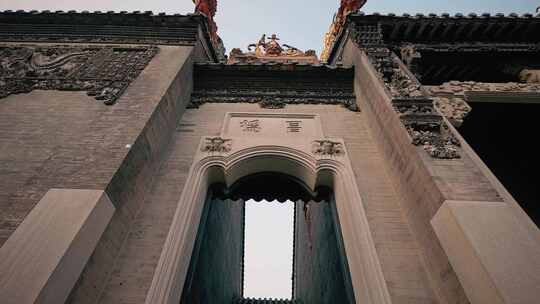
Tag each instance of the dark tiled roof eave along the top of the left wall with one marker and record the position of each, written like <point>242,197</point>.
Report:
<point>134,27</point>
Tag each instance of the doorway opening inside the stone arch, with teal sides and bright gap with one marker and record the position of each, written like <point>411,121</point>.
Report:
<point>292,227</point>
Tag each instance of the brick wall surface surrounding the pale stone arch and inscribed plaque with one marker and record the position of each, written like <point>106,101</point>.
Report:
<point>398,251</point>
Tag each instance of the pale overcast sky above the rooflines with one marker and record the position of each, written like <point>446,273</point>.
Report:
<point>300,23</point>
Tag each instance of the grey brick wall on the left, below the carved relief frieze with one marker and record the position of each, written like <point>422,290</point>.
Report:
<point>68,140</point>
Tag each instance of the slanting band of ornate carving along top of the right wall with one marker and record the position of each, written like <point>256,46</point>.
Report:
<point>415,106</point>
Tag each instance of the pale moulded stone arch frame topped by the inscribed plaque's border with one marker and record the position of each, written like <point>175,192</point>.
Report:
<point>314,160</point>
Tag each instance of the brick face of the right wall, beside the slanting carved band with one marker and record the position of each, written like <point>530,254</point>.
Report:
<point>422,183</point>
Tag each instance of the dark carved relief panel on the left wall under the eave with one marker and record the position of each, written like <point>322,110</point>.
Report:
<point>103,71</point>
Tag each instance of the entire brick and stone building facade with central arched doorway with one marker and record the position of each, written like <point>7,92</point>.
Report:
<point>129,143</point>
